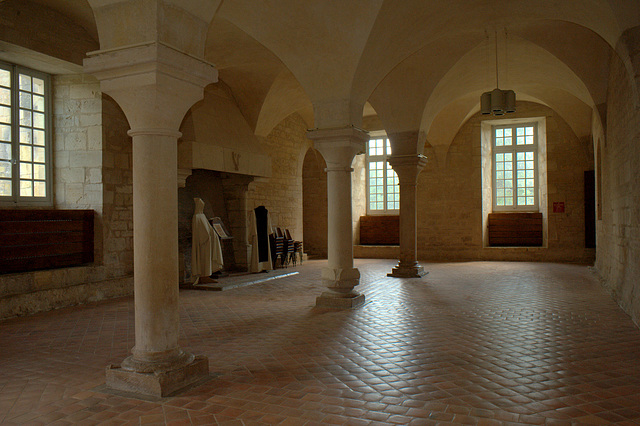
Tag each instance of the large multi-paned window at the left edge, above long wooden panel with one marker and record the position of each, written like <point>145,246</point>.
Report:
<point>24,128</point>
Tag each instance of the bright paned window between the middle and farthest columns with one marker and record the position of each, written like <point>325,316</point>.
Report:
<point>383,191</point>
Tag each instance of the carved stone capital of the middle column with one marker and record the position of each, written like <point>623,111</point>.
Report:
<point>339,145</point>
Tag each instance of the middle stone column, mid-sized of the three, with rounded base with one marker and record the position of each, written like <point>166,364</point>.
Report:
<point>338,147</point>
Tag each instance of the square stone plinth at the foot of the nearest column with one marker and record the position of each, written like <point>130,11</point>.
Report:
<point>159,383</point>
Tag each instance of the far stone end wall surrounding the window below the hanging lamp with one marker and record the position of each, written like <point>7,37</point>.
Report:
<point>450,200</point>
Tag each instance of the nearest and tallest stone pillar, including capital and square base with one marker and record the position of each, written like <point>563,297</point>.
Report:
<point>155,85</point>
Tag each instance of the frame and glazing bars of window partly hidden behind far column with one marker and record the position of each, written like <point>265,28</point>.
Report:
<point>384,158</point>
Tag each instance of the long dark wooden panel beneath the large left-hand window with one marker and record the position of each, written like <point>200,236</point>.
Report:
<point>45,239</point>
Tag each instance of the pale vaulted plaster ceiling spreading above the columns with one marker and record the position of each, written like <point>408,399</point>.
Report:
<point>420,63</point>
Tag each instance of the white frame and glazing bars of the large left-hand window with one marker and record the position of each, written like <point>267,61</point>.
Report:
<point>15,199</point>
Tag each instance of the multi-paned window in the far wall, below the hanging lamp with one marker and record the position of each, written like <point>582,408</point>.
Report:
<point>515,168</point>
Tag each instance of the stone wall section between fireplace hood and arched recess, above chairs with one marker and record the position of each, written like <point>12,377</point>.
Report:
<point>281,193</point>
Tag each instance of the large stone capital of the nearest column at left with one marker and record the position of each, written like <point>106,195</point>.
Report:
<point>153,83</point>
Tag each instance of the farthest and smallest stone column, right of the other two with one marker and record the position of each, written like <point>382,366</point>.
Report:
<point>407,167</point>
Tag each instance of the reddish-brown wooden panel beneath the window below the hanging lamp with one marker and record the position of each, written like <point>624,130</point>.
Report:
<point>515,229</point>
